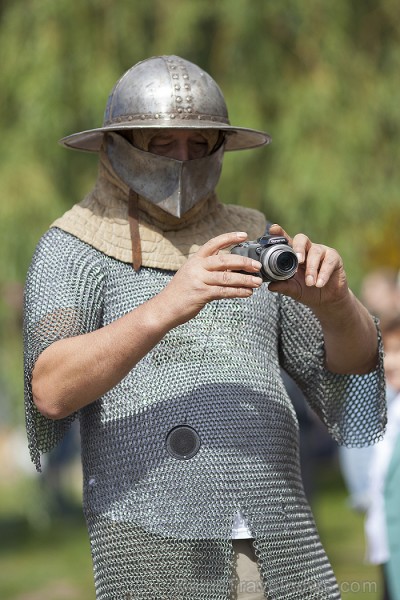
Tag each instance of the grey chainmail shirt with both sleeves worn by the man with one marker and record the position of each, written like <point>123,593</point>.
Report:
<point>160,528</point>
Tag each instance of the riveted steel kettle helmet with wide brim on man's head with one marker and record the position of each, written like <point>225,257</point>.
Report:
<point>166,92</point>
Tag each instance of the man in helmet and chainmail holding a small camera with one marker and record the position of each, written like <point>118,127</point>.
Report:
<point>169,348</point>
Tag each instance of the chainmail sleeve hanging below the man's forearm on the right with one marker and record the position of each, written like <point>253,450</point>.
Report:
<point>353,407</point>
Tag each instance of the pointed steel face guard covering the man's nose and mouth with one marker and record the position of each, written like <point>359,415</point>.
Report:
<point>173,185</point>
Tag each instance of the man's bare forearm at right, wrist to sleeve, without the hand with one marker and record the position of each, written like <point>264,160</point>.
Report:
<point>350,336</point>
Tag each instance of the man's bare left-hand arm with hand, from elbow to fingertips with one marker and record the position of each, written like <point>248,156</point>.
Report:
<point>74,372</point>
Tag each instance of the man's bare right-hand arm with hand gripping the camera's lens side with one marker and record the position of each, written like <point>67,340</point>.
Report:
<point>351,342</point>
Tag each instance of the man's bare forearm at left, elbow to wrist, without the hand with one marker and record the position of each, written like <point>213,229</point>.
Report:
<point>73,372</point>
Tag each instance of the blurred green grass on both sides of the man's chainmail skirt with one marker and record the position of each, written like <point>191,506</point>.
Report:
<point>48,558</point>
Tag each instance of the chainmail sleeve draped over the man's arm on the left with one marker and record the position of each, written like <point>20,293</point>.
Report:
<point>63,294</point>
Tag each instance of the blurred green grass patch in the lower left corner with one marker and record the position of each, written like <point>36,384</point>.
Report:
<point>42,557</point>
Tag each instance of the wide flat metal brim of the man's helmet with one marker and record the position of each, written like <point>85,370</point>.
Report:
<point>237,138</point>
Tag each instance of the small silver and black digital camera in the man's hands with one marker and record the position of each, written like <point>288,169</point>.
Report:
<point>278,259</point>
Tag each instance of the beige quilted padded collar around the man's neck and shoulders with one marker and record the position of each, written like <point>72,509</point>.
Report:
<point>101,220</point>
